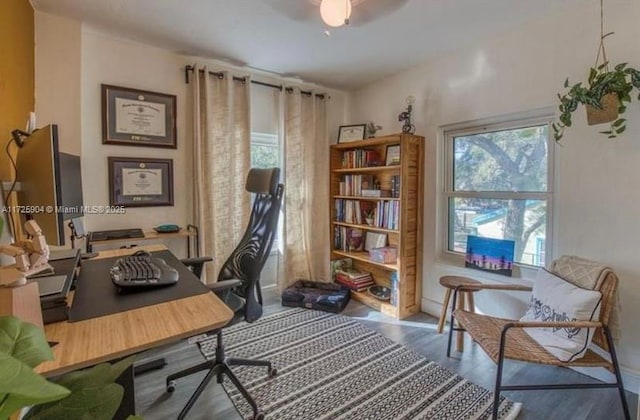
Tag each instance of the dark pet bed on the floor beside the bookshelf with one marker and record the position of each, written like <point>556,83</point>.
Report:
<point>329,297</point>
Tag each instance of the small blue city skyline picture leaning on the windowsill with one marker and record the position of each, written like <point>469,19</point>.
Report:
<point>492,255</point>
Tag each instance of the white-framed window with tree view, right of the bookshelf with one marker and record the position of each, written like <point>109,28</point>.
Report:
<point>498,185</point>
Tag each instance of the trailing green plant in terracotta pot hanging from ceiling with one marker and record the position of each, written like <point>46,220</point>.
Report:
<point>605,96</point>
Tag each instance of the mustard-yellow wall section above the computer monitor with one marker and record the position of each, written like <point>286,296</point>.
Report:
<point>16,72</point>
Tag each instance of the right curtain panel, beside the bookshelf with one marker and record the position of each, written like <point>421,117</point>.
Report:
<point>306,156</point>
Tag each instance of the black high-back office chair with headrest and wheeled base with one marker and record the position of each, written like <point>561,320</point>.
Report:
<point>239,283</point>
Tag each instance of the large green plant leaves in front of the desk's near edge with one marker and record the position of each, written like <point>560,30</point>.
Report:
<point>87,394</point>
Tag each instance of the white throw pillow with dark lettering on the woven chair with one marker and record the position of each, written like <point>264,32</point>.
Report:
<point>555,299</point>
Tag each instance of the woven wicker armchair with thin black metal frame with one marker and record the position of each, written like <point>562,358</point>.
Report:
<point>491,334</point>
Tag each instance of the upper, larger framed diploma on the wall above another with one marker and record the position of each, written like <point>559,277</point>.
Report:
<point>135,117</point>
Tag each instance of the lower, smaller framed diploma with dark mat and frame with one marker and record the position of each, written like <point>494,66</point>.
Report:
<point>140,182</point>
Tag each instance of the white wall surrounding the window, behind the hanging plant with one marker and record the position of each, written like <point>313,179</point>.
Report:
<point>597,197</point>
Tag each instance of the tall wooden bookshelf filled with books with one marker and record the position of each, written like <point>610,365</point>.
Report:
<point>406,235</point>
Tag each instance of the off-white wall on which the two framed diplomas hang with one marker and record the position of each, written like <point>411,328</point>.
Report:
<point>74,60</point>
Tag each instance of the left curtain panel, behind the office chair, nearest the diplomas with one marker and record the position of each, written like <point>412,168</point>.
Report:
<point>221,161</point>
